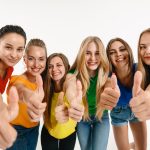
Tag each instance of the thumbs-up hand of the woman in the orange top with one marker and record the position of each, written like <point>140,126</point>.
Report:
<point>34,100</point>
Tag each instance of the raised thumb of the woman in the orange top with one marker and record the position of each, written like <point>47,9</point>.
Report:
<point>39,83</point>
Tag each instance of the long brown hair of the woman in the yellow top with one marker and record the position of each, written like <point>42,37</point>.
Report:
<point>49,84</point>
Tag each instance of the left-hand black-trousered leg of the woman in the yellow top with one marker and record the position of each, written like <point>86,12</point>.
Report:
<point>47,141</point>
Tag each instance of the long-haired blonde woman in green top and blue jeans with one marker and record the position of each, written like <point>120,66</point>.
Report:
<point>91,68</point>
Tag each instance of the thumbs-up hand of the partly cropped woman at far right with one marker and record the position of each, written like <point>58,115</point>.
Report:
<point>140,103</point>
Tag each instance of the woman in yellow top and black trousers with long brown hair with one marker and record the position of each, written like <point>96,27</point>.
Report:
<point>55,135</point>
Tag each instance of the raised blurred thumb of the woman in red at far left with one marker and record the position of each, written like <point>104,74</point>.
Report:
<point>13,107</point>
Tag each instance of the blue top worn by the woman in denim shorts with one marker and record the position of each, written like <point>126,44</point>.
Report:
<point>126,93</point>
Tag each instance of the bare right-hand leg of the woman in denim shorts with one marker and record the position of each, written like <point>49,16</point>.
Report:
<point>139,131</point>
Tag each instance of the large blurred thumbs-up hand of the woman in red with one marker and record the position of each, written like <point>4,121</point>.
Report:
<point>8,113</point>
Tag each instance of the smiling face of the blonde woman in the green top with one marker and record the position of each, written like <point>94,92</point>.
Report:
<point>92,58</point>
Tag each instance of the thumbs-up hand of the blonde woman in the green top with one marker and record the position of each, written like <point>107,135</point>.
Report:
<point>76,109</point>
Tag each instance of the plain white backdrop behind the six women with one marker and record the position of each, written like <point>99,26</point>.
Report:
<point>63,24</point>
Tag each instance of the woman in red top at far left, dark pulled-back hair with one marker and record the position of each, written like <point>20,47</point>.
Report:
<point>12,43</point>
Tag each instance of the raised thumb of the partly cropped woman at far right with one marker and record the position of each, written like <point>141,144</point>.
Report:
<point>137,83</point>
